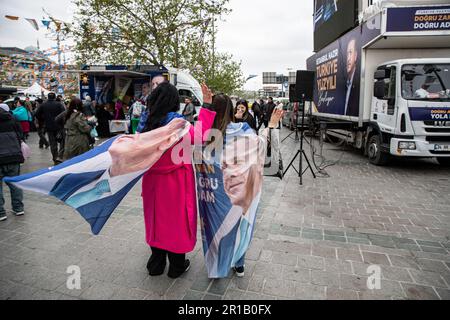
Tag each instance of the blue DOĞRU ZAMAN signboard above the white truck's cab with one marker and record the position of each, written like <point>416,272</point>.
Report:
<point>418,19</point>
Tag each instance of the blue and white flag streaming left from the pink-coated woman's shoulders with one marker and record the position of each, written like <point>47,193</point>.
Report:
<point>96,182</point>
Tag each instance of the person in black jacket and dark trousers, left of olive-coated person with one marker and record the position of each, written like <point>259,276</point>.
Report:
<point>49,110</point>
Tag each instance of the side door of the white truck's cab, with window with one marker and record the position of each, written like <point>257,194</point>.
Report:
<point>385,107</point>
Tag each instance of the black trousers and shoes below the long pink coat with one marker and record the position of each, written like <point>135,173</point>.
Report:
<point>157,263</point>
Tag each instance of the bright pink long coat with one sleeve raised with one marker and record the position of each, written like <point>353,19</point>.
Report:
<point>170,200</point>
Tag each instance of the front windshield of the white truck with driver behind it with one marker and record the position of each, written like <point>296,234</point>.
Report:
<point>430,82</point>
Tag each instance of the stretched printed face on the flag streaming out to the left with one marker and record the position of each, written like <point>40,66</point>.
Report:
<point>133,153</point>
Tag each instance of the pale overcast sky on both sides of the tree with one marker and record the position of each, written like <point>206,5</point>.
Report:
<point>266,35</point>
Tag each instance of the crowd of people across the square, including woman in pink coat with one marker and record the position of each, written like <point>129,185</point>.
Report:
<point>170,217</point>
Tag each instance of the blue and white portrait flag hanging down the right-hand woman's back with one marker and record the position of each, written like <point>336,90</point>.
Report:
<point>229,186</point>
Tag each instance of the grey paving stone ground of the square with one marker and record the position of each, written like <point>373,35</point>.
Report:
<point>314,241</point>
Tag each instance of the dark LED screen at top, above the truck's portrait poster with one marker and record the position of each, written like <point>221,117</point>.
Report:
<point>332,18</point>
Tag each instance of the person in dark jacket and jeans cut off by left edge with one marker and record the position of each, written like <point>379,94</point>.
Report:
<point>10,159</point>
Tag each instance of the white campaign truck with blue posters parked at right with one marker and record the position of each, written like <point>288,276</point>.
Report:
<point>384,86</point>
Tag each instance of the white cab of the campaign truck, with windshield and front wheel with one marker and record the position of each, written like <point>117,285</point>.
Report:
<point>411,110</point>
